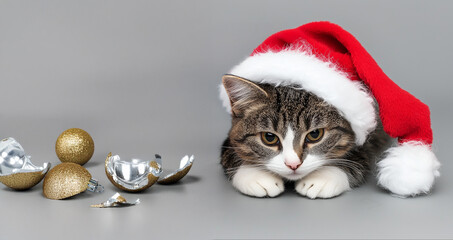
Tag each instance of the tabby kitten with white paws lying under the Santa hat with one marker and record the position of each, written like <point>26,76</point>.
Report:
<point>284,133</point>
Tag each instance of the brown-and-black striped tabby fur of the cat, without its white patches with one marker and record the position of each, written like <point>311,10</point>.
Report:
<point>260,108</point>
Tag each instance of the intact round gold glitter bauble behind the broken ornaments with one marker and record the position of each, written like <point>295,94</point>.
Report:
<point>74,145</point>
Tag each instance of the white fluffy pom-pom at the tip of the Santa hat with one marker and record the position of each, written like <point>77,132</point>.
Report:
<point>408,169</point>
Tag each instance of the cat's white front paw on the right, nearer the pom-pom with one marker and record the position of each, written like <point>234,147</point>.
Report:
<point>326,182</point>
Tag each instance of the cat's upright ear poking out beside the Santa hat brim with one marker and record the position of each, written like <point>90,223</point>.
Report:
<point>242,92</point>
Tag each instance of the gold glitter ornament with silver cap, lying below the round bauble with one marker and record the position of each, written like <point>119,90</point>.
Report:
<point>68,179</point>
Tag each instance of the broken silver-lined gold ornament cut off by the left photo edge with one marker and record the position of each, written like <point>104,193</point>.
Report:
<point>16,169</point>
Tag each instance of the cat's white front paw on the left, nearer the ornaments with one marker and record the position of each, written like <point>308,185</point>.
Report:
<point>258,183</point>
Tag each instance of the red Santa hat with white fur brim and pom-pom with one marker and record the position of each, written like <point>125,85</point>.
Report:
<point>329,62</point>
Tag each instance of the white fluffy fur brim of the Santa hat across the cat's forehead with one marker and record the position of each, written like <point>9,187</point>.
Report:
<point>300,68</point>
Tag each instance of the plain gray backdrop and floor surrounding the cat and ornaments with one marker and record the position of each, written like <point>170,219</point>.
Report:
<point>141,77</point>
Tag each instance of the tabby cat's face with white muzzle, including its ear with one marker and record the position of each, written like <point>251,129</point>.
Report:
<point>285,130</point>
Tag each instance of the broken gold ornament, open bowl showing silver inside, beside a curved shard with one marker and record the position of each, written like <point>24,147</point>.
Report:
<point>132,176</point>
